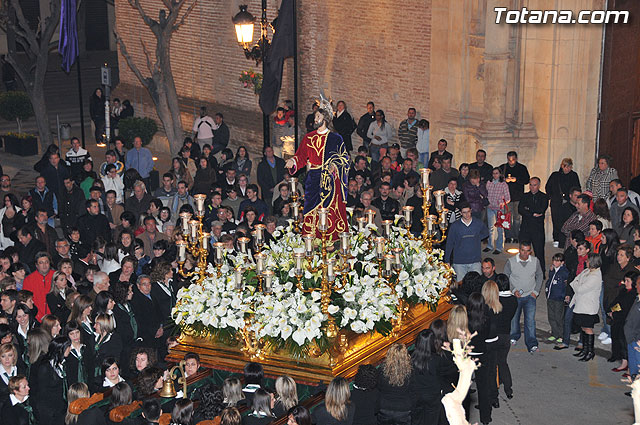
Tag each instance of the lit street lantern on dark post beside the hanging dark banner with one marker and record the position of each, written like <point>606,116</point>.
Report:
<point>244,23</point>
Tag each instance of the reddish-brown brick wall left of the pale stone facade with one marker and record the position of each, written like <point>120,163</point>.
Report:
<point>364,51</point>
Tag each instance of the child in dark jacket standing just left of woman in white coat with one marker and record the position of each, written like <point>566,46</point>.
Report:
<point>556,290</point>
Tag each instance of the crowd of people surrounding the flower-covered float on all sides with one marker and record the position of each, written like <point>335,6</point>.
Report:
<point>88,271</point>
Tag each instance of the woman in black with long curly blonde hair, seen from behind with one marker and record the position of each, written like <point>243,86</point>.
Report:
<point>394,384</point>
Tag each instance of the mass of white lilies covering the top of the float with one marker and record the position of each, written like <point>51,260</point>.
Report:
<point>288,317</point>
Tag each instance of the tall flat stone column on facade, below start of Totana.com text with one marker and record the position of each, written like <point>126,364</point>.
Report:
<point>496,58</point>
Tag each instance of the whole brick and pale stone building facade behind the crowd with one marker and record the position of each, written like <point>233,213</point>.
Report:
<point>529,88</point>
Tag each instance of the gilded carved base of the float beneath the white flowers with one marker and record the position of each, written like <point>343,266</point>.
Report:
<point>350,350</point>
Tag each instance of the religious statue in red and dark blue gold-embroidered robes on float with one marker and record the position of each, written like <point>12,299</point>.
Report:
<point>327,161</point>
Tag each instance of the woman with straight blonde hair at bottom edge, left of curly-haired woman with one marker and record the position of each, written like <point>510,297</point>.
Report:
<point>337,408</point>
